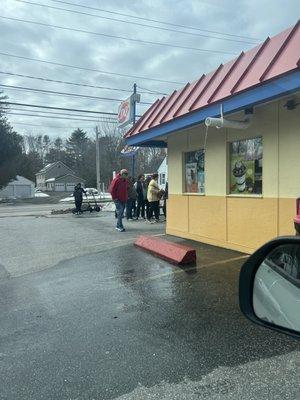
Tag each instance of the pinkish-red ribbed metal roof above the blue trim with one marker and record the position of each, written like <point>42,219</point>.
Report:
<point>271,59</point>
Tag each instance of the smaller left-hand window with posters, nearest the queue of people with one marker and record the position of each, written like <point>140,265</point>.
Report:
<point>194,171</point>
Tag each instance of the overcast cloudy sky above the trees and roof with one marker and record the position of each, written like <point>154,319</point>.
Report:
<point>244,22</point>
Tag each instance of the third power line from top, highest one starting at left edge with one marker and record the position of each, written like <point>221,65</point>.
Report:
<point>115,36</point>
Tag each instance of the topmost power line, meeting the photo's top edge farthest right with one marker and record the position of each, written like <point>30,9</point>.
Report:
<point>153,20</point>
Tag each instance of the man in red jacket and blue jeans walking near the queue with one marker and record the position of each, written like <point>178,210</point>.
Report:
<point>119,193</point>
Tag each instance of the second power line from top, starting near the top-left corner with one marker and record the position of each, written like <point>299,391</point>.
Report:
<point>137,23</point>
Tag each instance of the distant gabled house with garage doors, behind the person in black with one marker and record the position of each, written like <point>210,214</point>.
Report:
<point>57,177</point>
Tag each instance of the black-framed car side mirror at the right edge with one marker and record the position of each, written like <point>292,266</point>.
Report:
<point>269,290</point>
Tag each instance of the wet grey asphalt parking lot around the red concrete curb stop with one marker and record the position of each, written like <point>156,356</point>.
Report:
<point>86,315</point>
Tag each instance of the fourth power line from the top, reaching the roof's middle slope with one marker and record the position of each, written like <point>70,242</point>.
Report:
<point>89,69</point>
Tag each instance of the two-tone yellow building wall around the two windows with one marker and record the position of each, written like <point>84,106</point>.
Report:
<point>235,221</point>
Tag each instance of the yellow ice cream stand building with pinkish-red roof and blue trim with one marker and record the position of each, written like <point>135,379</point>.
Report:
<point>233,139</point>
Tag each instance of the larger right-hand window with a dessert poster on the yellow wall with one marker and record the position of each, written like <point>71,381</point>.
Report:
<point>246,166</point>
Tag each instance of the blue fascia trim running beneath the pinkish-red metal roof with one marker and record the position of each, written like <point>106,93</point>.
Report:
<point>277,88</point>
